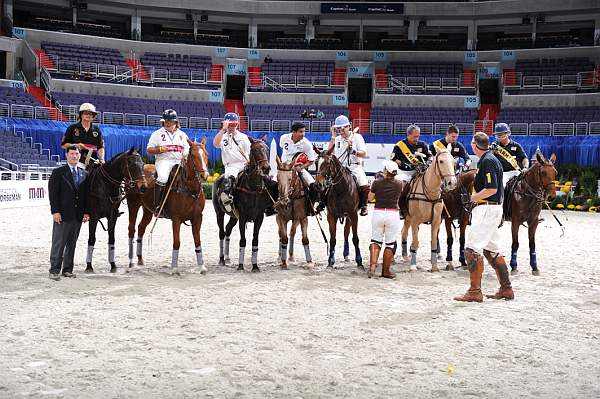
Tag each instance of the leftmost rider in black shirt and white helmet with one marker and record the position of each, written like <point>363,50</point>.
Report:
<point>85,135</point>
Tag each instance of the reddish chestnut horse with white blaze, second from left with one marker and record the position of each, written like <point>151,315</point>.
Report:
<point>184,202</point>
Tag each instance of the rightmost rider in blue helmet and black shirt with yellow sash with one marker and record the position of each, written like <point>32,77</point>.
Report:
<point>510,153</point>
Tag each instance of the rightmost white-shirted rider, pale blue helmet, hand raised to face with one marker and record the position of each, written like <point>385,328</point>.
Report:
<point>349,147</point>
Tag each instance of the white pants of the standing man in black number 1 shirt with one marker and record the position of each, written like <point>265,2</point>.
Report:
<point>484,232</point>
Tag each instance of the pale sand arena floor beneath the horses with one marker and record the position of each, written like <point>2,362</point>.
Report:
<point>297,333</point>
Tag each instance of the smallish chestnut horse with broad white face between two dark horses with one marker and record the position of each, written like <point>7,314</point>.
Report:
<point>291,205</point>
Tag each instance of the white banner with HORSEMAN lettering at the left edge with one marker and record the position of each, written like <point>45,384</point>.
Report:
<point>23,193</point>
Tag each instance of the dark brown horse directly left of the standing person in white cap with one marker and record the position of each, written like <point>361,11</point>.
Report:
<point>335,182</point>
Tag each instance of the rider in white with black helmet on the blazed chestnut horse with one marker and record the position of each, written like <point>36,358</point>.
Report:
<point>169,145</point>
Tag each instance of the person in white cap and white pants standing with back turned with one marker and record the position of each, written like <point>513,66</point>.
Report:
<point>386,221</point>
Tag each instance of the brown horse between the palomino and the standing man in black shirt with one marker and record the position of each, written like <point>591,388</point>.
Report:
<point>456,207</point>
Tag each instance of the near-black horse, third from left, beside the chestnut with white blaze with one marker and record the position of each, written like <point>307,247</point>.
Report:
<point>251,197</point>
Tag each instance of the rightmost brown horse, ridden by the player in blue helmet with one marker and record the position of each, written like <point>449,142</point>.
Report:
<point>525,196</point>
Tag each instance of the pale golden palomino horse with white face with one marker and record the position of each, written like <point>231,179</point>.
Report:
<point>425,205</point>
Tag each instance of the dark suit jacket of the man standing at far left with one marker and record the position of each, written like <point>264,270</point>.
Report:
<point>65,197</point>
